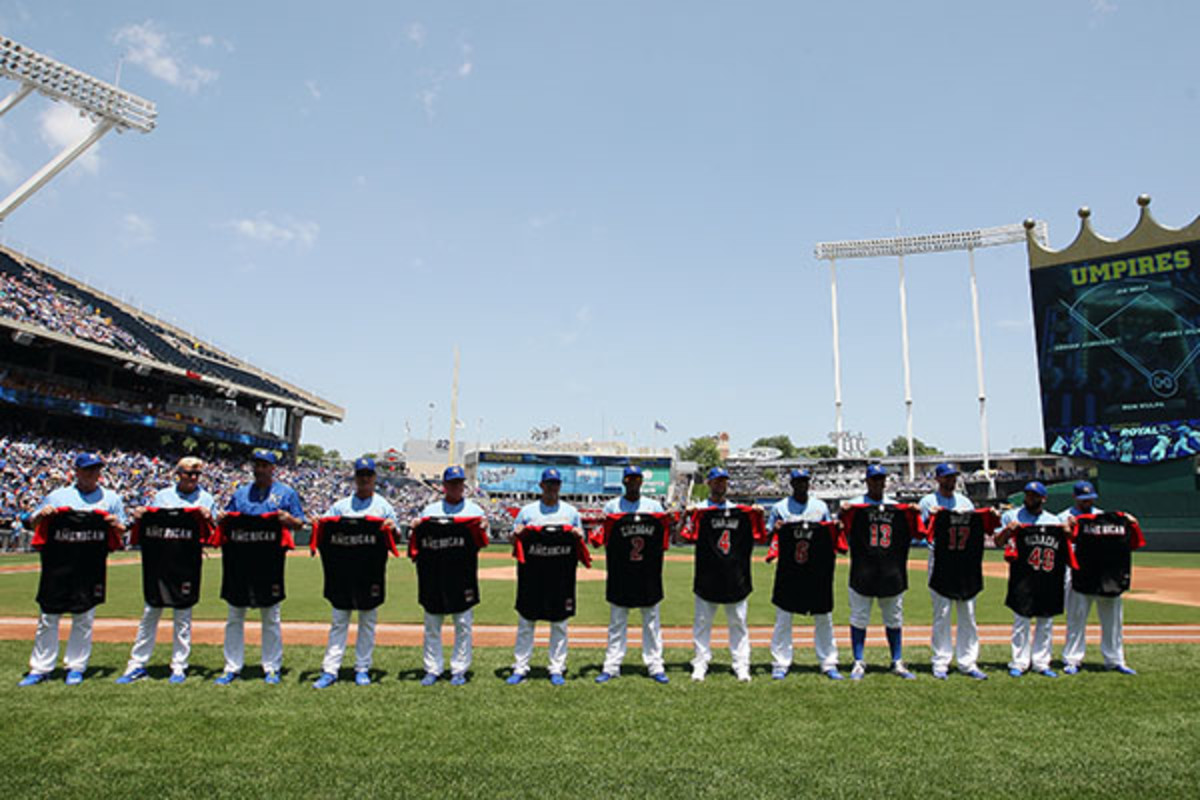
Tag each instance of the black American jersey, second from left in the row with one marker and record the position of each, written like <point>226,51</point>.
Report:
<point>172,542</point>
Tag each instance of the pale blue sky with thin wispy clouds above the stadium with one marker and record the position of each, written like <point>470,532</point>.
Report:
<point>611,207</point>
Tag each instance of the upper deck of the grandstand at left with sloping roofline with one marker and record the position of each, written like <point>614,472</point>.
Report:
<point>75,360</point>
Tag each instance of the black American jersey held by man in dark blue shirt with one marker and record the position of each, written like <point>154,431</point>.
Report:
<point>254,554</point>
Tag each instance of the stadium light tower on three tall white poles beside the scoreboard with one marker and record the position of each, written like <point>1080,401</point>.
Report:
<point>902,246</point>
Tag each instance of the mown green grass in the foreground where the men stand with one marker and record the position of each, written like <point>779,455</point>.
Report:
<point>1091,736</point>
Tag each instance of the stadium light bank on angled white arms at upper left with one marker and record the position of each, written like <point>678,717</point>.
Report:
<point>104,104</point>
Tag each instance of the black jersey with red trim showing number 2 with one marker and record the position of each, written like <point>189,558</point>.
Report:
<point>634,548</point>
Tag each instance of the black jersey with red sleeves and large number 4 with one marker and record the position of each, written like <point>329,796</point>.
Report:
<point>725,539</point>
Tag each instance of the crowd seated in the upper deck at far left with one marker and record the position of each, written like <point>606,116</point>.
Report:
<point>32,298</point>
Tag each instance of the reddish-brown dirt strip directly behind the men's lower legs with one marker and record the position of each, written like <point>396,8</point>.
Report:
<point>585,636</point>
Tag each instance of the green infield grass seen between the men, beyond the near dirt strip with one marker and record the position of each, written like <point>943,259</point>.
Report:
<point>307,604</point>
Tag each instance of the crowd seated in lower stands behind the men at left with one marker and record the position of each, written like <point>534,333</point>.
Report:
<point>33,466</point>
